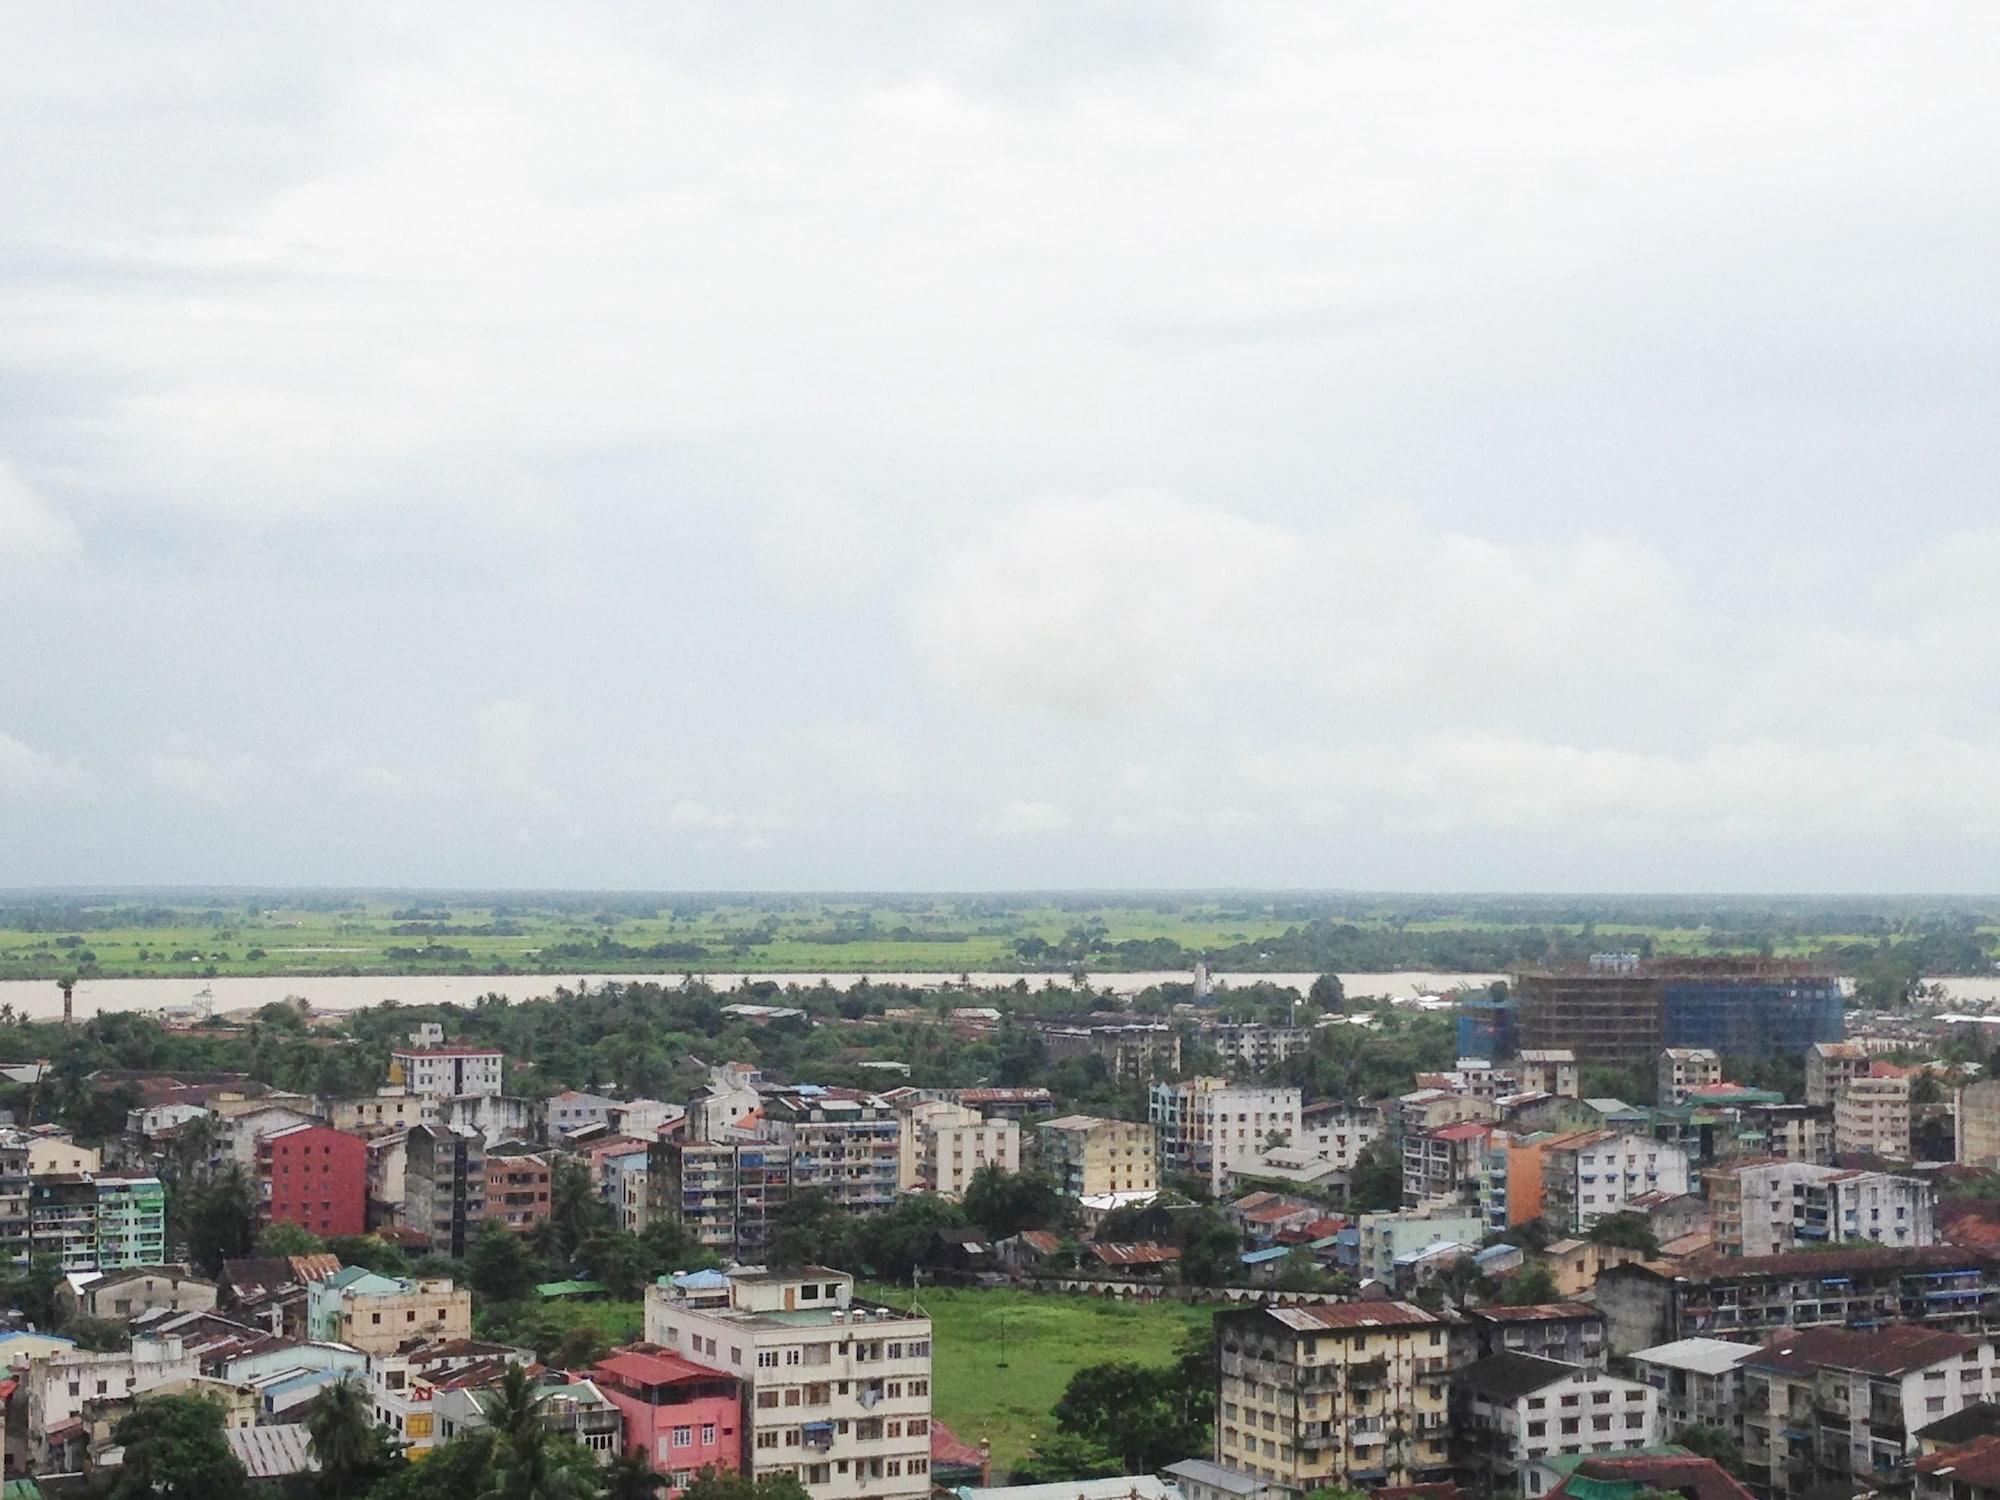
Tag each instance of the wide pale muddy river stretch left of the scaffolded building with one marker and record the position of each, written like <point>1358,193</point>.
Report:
<point>351,993</point>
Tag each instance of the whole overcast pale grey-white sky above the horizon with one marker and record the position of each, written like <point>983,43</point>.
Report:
<point>1025,445</point>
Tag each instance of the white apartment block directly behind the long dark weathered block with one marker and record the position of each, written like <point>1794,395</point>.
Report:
<point>1765,1209</point>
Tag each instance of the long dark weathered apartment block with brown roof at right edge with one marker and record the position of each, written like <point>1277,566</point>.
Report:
<point>1755,1297</point>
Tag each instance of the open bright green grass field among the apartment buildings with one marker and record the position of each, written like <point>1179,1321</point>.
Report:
<point>1045,1341</point>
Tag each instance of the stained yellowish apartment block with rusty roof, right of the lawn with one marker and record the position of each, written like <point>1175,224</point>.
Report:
<point>1335,1395</point>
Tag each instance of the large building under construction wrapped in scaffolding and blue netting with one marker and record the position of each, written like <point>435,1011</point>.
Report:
<point>1621,1009</point>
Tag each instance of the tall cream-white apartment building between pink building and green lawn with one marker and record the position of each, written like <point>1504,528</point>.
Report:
<point>837,1393</point>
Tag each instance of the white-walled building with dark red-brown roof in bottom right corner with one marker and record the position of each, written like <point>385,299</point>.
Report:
<point>1839,1405</point>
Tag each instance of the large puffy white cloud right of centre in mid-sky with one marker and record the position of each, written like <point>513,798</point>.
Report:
<point>1101,607</point>
